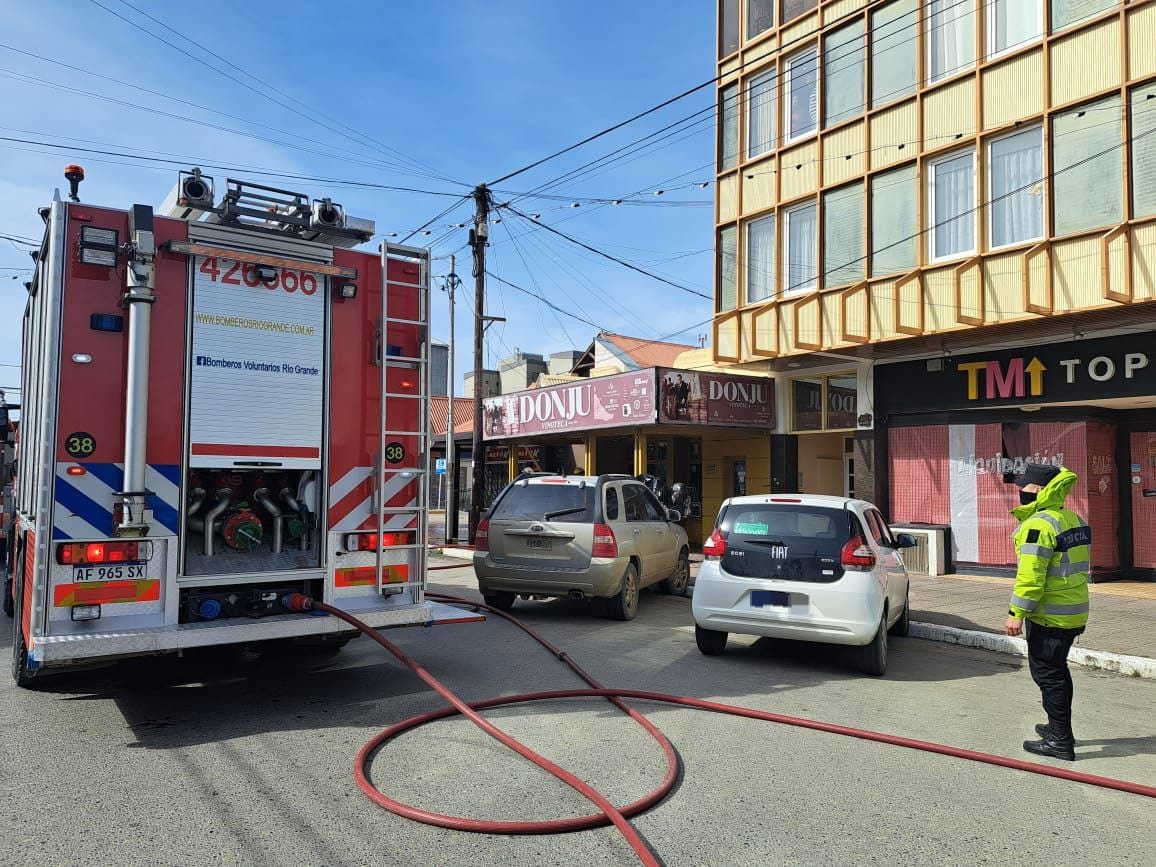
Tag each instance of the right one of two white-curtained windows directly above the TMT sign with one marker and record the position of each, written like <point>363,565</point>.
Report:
<point>1016,188</point>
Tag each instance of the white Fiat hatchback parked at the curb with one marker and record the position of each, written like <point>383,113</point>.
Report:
<point>806,568</point>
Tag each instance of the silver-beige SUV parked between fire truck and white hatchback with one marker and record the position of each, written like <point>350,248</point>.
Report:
<point>603,537</point>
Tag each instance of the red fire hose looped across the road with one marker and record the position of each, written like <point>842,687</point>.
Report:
<point>610,814</point>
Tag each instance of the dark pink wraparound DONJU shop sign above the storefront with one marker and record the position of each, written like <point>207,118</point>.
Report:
<point>646,397</point>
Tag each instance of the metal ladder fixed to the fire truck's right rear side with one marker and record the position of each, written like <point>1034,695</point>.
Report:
<point>389,359</point>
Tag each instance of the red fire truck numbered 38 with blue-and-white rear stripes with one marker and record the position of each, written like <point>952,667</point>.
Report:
<point>223,404</point>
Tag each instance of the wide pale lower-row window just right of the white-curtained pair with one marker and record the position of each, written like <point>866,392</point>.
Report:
<point>1087,167</point>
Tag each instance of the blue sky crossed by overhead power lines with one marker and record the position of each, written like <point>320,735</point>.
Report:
<point>470,91</point>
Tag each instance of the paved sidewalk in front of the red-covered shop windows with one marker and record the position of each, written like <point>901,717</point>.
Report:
<point>1123,613</point>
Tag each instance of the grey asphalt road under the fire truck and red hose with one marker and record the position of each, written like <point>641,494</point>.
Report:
<point>234,759</point>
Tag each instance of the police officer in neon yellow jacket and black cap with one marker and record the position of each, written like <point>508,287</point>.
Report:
<point>1050,599</point>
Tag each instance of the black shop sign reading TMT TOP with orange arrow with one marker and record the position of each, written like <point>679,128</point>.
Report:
<point>1064,373</point>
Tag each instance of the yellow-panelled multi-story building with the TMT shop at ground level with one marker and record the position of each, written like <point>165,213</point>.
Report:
<point>937,231</point>
